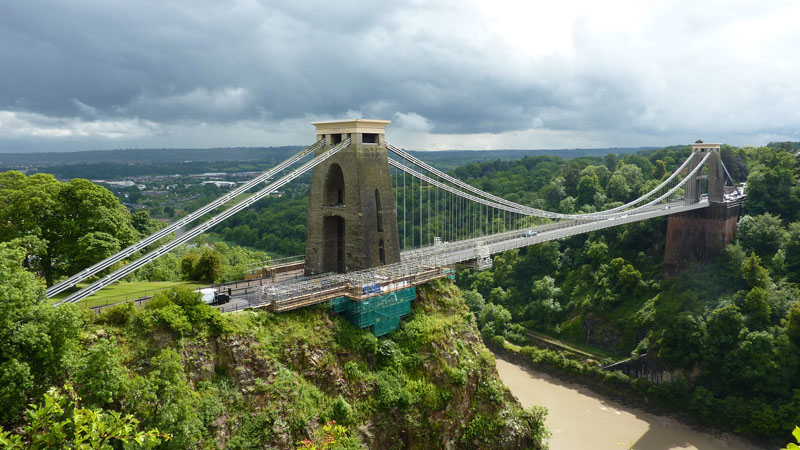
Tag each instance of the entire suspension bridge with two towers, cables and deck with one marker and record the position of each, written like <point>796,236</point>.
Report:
<point>382,221</point>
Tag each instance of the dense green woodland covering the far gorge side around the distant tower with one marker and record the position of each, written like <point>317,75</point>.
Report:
<point>732,326</point>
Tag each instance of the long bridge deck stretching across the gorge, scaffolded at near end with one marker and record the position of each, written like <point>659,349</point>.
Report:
<point>423,264</point>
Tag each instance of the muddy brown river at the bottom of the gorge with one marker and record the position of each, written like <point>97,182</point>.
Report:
<point>581,419</point>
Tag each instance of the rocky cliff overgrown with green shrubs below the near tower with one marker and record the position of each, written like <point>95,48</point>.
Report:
<point>430,384</point>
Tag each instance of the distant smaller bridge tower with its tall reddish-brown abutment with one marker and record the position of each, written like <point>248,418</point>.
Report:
<point>699,235</point>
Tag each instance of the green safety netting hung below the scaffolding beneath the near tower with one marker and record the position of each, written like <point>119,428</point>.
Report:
<point>382,312</point>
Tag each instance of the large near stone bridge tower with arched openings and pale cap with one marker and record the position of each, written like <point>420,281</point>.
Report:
<point>352,218</point>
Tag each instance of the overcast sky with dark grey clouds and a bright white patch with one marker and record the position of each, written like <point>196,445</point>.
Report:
<point>103,74</point>
